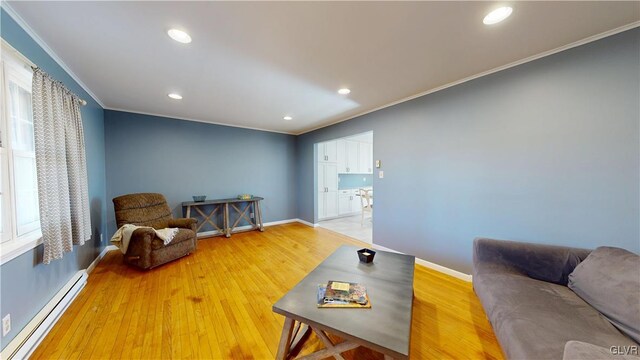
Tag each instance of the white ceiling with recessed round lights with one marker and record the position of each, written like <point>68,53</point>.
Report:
<point>252,63</point>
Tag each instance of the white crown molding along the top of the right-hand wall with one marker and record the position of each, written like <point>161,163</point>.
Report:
<point>489,72</point>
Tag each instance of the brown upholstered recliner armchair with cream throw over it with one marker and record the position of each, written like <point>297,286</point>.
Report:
<point>145,250</point>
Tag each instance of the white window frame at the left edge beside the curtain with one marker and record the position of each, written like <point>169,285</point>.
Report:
<point>15,66</point>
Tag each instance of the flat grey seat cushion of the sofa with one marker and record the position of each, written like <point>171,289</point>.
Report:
<point>534,319</point>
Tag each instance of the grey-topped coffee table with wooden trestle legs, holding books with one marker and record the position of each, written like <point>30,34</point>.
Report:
<point>385,328</point>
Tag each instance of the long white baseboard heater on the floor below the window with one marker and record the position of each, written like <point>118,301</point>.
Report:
<point>25,343</point>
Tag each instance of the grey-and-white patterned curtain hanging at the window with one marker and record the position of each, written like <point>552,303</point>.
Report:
<point>61,167</point>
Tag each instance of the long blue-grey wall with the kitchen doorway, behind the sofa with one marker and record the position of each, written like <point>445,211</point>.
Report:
<point>545,152</point>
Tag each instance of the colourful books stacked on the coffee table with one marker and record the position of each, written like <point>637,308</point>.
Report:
<point>337,294</point>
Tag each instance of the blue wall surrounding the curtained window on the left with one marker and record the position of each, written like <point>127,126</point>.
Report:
<point>26,284</point>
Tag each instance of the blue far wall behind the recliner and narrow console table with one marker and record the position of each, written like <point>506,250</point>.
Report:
<point>183,158</point>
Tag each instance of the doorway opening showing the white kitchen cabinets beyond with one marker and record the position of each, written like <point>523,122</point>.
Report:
<point>345,186</point>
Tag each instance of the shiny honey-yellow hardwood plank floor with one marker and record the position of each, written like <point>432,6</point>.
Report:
<point>216,304</point>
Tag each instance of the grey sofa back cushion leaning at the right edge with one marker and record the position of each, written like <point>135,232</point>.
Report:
<point>609,280</point>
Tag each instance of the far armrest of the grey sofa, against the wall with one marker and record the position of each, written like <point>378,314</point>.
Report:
<point>543,262</point>
